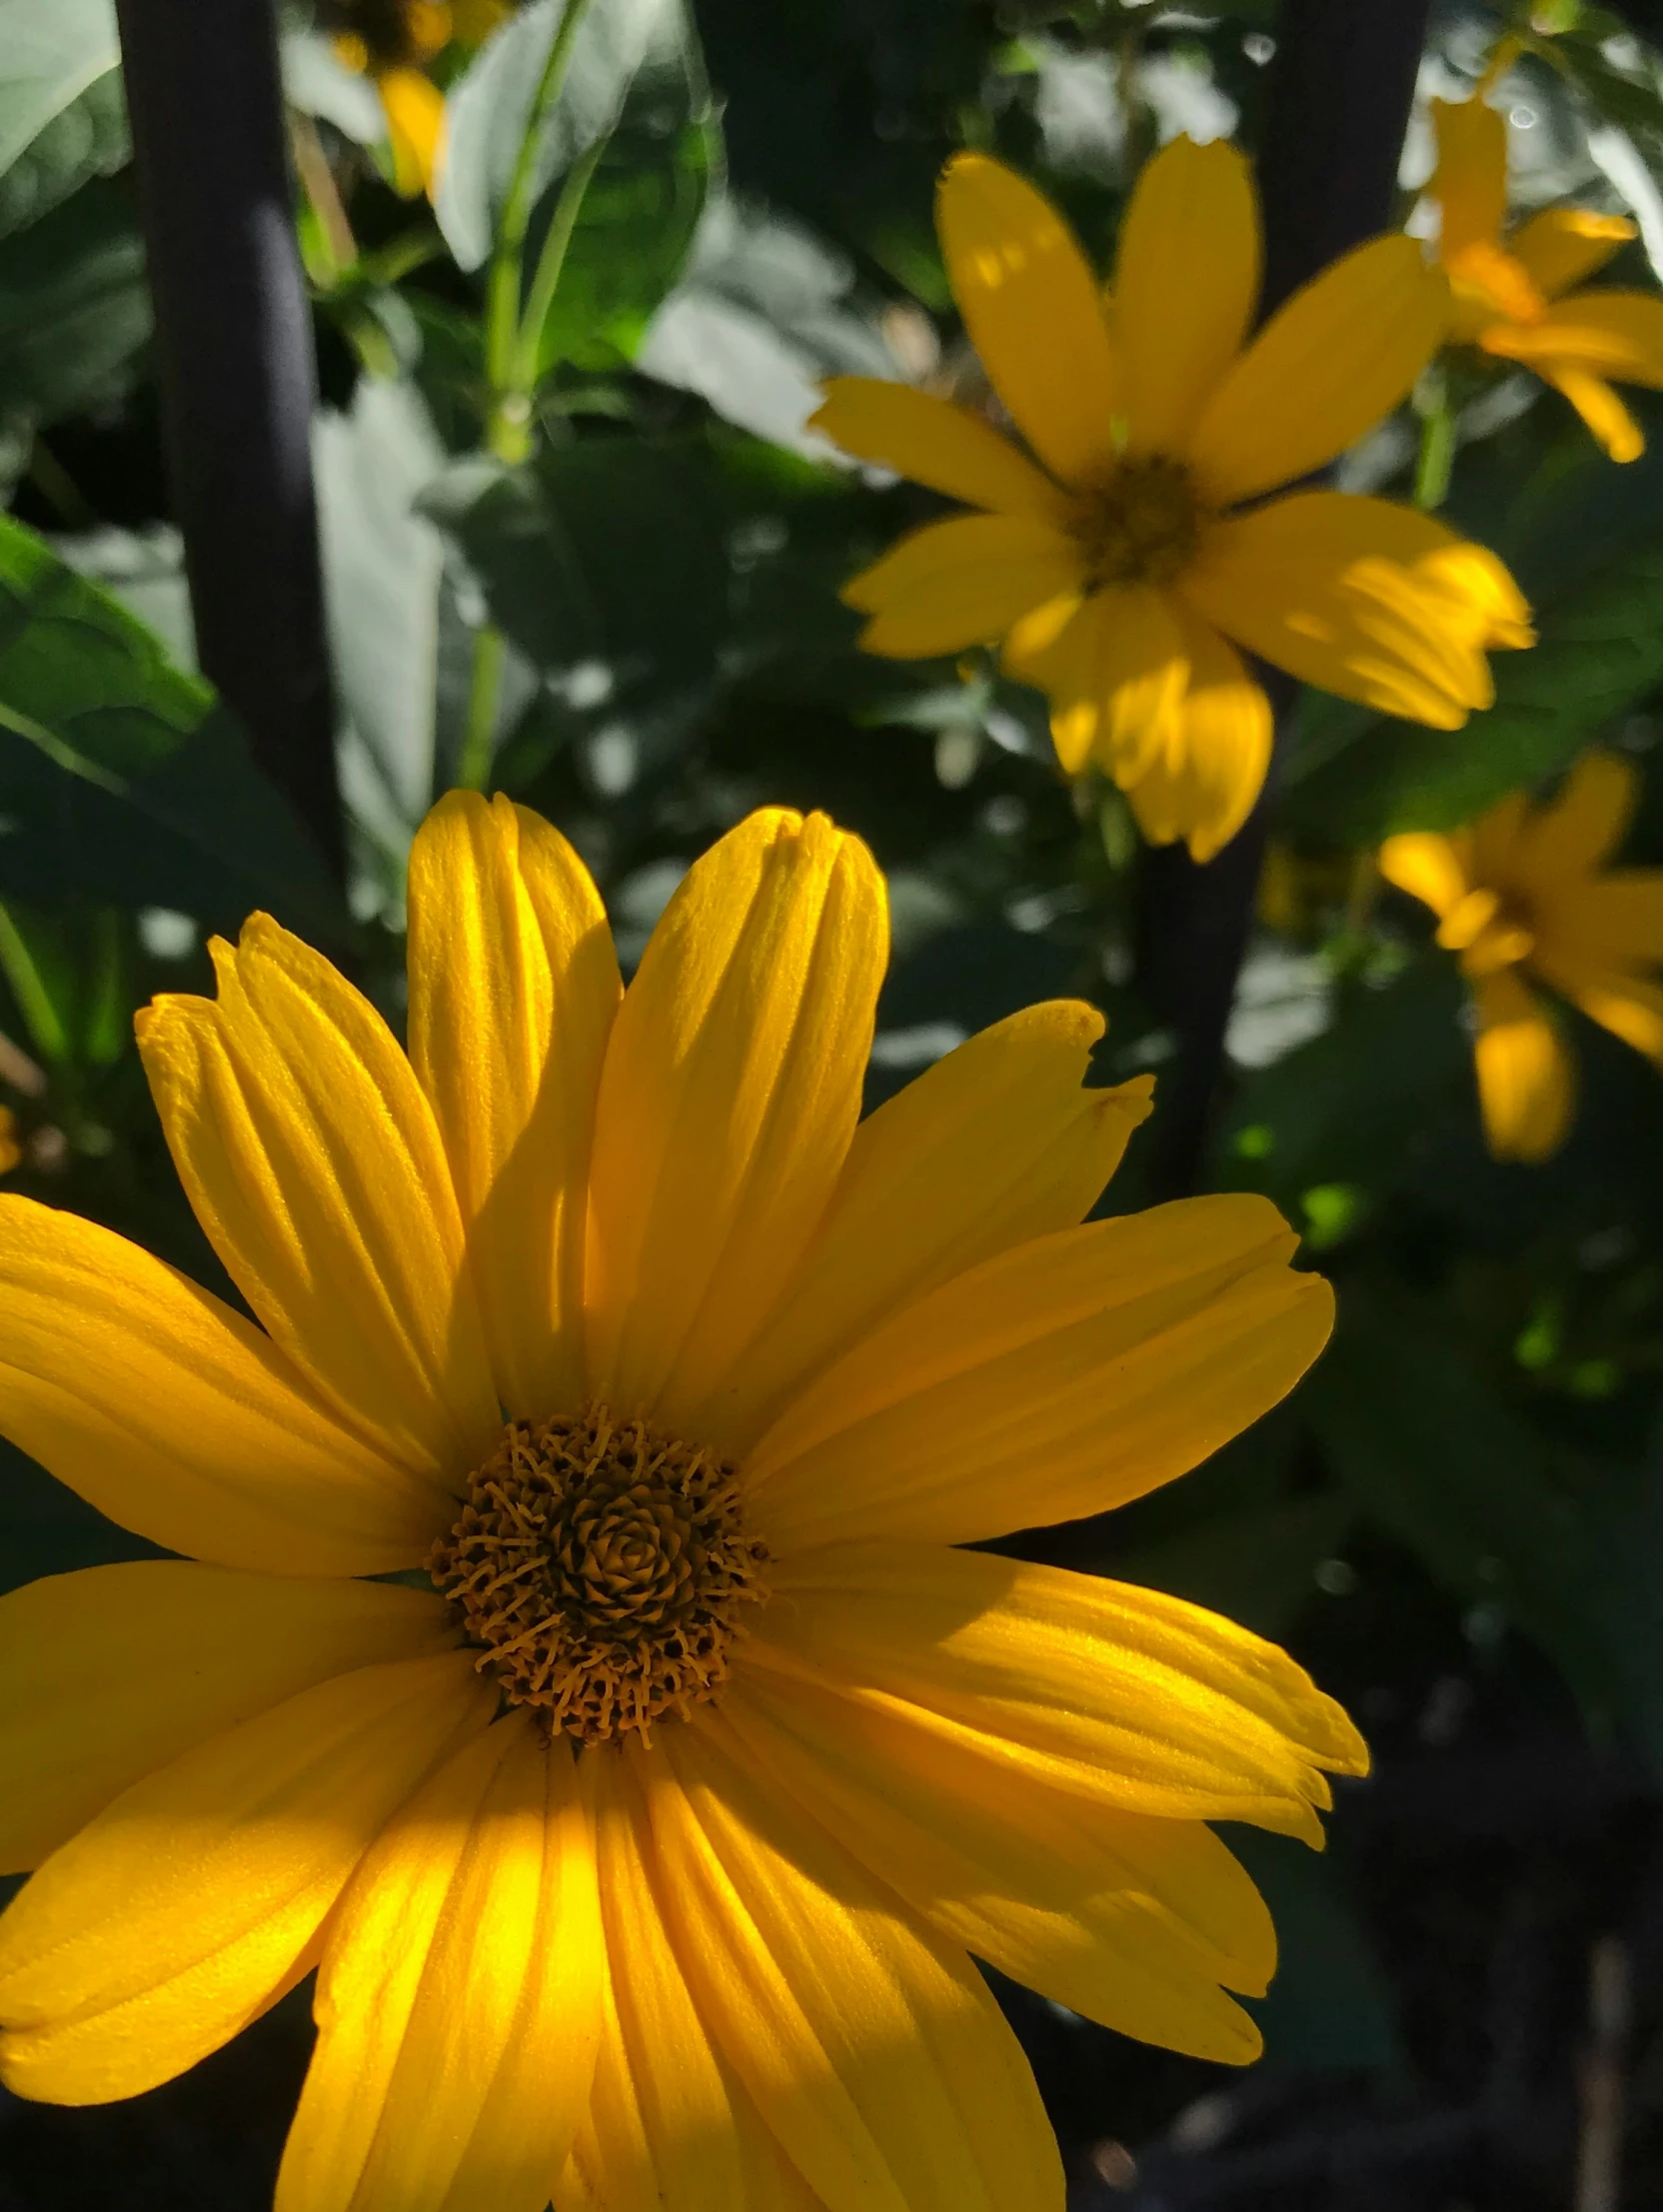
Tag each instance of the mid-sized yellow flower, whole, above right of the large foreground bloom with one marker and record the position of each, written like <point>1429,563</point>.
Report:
<point>1122,559</point>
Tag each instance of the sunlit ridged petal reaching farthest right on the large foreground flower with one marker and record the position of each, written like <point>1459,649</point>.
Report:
<point>1105,1691</point>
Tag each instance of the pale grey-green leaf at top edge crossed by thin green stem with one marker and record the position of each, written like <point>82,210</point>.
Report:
<point>490,107</point>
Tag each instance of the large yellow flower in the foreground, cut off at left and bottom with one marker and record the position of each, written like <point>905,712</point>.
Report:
<point>645,1853</point>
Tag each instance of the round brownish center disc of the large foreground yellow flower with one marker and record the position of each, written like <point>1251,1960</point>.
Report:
<point>603,1569</point>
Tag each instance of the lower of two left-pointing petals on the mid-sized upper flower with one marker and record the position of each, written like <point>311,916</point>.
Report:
<point>961,583</point>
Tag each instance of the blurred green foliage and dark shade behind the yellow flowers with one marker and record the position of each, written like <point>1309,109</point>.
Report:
<point>592,561</point>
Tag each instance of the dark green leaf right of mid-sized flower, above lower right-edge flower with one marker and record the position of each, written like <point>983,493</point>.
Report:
<point>1600,651</point>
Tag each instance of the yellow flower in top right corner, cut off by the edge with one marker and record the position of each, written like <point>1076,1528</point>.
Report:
<point>1516,300</point>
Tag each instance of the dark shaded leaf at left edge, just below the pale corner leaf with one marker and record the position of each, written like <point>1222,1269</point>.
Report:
<point>74,304</point>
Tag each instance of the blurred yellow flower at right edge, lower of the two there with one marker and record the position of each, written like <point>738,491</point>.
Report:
<point>1523,895</point>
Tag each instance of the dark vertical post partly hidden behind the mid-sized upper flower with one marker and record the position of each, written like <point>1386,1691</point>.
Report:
<point>1341,87</point>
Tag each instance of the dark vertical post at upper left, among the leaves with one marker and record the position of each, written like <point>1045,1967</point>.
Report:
<point>238,375</point>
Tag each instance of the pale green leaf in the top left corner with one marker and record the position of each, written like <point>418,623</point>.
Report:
<point>52,59</point>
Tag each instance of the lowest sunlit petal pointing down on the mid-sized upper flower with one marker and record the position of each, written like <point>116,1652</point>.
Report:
<point>1204,782</point>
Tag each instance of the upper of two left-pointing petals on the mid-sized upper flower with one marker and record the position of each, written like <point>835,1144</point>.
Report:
<point>937,444</point>
